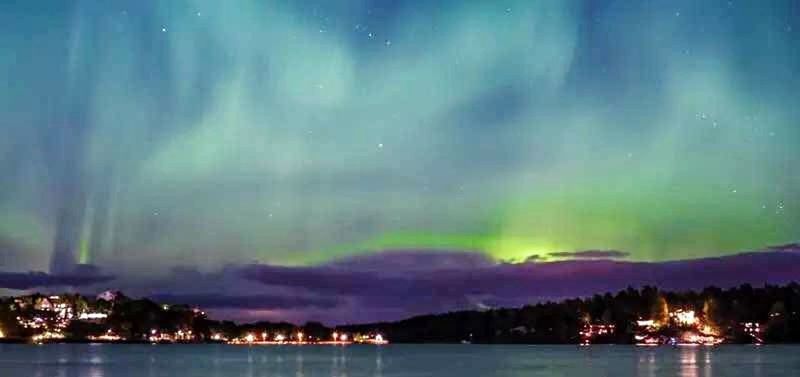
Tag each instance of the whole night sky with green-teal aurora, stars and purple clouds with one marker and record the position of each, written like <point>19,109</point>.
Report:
<point>367,160</point>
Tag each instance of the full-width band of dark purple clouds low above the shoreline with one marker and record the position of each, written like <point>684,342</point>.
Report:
<point>396,284</point>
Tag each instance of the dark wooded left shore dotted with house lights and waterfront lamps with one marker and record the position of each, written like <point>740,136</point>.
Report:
<point>113,318</point>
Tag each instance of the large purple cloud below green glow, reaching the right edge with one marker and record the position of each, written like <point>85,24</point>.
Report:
<point>416,287</point>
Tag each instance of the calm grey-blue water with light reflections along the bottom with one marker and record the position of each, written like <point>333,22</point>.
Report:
<point>395,360</point>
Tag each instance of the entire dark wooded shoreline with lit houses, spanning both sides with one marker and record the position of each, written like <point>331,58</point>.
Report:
<point>644,318</point>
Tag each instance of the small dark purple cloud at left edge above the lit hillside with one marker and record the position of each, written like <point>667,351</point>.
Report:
<point>82,275</point>
